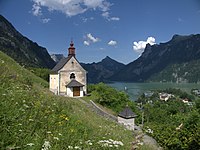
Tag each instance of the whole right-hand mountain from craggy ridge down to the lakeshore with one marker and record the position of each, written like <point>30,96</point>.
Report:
<point>180,51</point>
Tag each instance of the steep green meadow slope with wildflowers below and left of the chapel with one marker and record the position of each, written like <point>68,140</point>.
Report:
<point>31,115</point>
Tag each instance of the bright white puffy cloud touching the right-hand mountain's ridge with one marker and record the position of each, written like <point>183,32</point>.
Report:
<point>140,46</point>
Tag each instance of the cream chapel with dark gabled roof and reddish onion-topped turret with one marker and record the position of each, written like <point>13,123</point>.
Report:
<point>68,77</point>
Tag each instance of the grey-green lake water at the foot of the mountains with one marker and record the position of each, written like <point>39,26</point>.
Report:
<point>136,89</point>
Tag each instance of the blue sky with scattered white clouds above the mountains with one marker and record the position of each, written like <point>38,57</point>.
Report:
<point>119,29</point>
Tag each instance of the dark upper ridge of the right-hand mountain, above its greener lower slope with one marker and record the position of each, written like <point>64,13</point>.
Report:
<point>155,58</point>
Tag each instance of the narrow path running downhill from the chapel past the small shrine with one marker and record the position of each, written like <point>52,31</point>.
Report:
<point>140,137</point>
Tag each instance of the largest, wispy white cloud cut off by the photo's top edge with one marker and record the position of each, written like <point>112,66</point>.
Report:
<point>70,7</point>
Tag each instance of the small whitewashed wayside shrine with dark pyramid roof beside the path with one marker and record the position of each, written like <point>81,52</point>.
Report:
<point>127,118</point>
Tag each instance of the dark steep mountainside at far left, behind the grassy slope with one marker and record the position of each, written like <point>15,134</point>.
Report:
<point>21,49</point>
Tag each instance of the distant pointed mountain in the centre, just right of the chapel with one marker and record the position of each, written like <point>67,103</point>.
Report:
<point>102,71</point>
